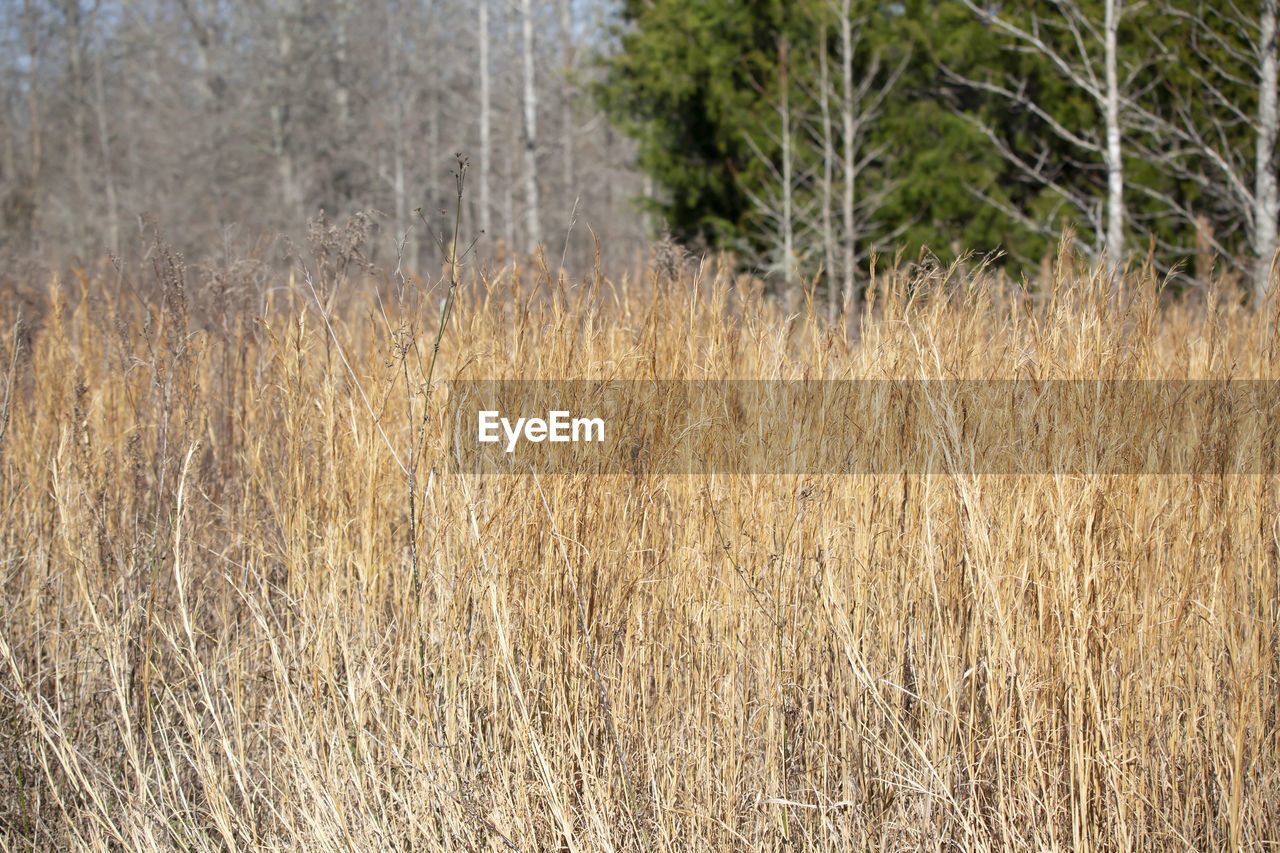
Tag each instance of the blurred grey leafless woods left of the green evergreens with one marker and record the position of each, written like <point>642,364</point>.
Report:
<point>235,120</point>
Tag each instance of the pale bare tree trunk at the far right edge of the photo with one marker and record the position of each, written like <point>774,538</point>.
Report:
<point>1267,197</point>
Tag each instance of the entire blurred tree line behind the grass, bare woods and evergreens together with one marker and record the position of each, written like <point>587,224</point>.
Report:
<point>804,135</point>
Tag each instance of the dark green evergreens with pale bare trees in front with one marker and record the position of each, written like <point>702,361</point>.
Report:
<point>810,134</point>
